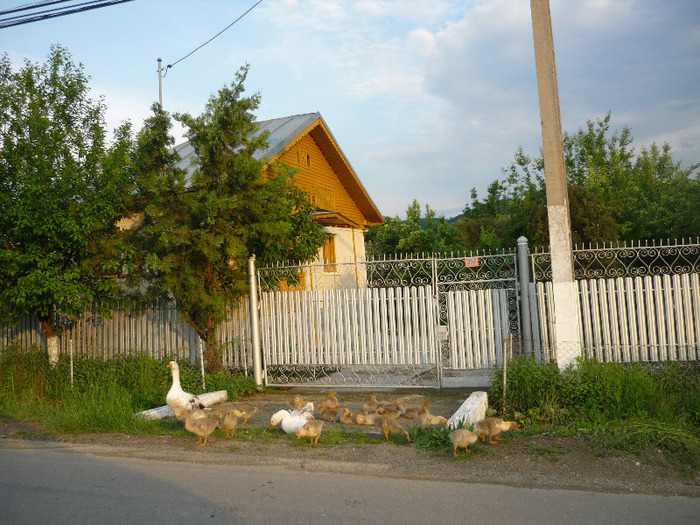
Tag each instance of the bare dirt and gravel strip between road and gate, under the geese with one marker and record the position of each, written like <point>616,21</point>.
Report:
<point>526,461</point>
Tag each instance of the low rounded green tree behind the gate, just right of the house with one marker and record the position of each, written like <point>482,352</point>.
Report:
<point>415,235</point>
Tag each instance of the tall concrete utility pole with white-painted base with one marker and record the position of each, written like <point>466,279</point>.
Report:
<point>566,311</point>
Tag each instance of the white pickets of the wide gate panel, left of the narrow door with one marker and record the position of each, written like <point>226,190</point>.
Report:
<point>367,326</point>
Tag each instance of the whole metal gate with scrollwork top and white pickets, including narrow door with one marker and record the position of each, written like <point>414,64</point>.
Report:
<point>386,323</point>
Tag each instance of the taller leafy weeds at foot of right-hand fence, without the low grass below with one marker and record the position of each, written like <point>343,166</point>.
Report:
<point>599,392</point>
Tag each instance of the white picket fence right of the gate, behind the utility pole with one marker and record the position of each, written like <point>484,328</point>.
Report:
<point>628,319</point>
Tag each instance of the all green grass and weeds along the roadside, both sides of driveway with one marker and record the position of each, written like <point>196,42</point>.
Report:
<point>637,409</point>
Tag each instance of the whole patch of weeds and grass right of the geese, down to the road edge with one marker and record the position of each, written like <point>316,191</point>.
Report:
<point>631,407</point>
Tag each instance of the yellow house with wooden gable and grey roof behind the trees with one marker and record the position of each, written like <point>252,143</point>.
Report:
<point>344,208</point>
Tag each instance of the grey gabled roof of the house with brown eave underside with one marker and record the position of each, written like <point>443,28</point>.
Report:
<point>286,132</point>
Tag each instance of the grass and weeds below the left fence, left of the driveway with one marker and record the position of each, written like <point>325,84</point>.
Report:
<point>134,383</point>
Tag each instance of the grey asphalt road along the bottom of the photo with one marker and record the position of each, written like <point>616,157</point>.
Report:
<point>55,485</point>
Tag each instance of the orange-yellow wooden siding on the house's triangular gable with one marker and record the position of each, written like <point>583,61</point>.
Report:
<point>320,181</point>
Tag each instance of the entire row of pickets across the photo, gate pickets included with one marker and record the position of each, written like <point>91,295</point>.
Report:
<point>622,319</point>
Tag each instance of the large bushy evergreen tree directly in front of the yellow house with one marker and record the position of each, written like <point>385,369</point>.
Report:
<point>197,233</point>
